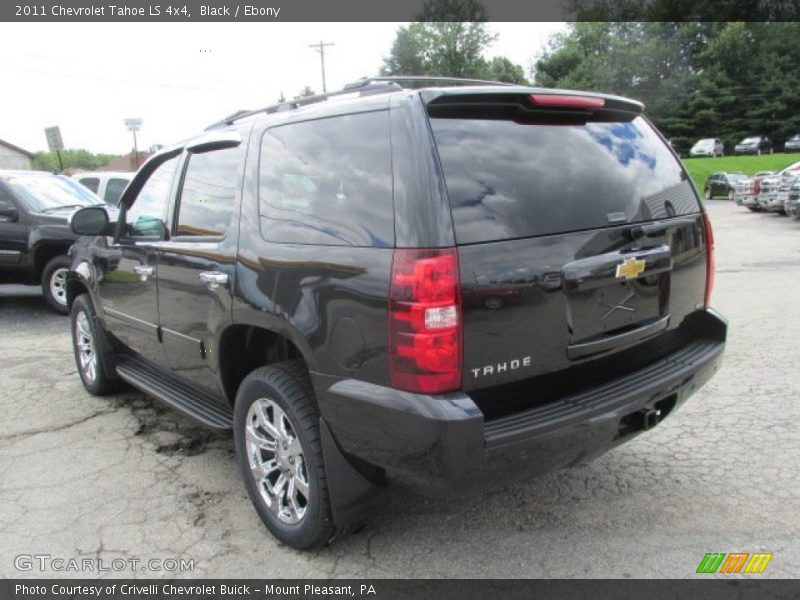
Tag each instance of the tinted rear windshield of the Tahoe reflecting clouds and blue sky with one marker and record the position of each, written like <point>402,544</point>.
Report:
<point>507,180</point>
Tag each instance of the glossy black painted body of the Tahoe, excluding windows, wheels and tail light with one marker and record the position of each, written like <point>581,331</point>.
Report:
<point>538,303</point>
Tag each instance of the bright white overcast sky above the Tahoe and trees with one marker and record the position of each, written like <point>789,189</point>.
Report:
<point>87,78</point>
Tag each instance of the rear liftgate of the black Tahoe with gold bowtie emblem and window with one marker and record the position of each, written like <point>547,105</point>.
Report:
<point>579,234</point>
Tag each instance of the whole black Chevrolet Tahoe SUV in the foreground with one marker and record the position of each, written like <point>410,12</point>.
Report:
<point>429,282</point>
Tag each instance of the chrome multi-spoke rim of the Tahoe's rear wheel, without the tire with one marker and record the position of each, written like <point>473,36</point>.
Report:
<point>276,461</point>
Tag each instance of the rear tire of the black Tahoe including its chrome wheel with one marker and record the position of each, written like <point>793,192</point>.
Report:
<point>277,463</point>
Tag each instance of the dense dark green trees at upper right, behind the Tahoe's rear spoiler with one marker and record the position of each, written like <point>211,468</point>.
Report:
<point>724,80</point>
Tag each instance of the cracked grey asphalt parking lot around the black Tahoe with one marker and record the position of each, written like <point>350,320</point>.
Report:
<point>123,477</point>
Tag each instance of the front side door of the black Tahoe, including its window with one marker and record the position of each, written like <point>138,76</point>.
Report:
<point>128,286</point>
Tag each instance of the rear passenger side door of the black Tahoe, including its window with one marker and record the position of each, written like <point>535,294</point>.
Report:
<point>196,265</point>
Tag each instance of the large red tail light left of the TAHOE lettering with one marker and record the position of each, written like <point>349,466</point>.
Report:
<point>425,321</point>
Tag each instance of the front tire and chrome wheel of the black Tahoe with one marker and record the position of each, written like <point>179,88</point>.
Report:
<point>94,356</point>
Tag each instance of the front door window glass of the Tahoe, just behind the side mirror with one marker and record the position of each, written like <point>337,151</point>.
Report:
<point>145,218</point>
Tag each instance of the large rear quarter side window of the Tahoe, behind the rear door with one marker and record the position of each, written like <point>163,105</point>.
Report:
<point>328,182</point>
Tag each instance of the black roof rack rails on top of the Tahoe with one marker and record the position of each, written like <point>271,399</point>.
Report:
<point>364,86</point>
